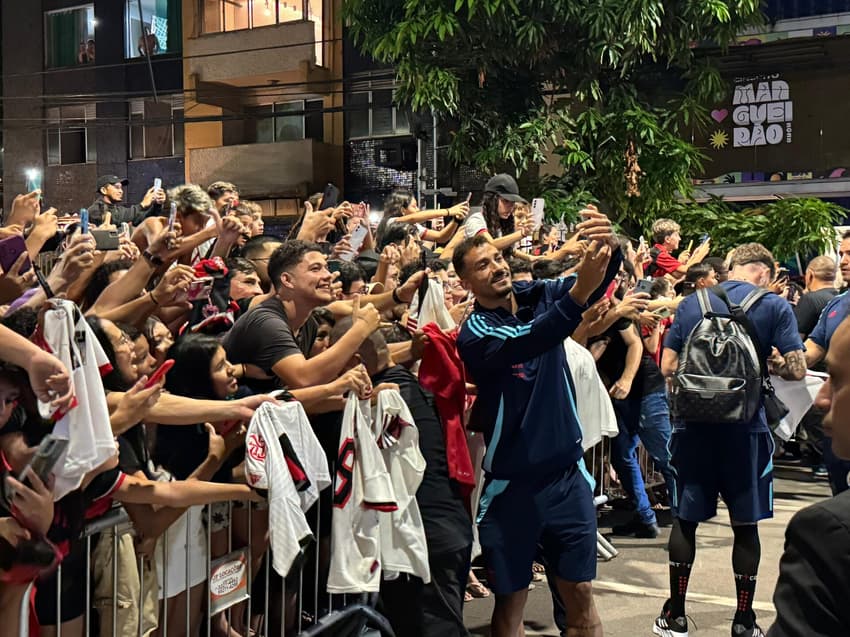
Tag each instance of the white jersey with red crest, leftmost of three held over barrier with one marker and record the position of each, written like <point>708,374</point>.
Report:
<point>275,436</point>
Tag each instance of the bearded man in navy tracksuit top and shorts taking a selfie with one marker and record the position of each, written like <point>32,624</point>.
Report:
<point>536,489</point>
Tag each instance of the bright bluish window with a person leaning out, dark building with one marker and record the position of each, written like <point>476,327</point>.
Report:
<point>158,30</point>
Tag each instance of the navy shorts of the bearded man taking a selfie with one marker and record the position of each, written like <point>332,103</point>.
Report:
<point>556,514</point>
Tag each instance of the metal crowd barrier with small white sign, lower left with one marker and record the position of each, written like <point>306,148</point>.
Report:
<point>228,584</point>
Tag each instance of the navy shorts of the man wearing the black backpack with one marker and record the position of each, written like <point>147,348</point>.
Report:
<point>735,464</point>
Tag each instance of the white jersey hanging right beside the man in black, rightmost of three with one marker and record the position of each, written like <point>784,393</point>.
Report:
<point>403,545</point>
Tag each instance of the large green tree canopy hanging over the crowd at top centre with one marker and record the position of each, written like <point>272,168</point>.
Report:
<point>587,77</point>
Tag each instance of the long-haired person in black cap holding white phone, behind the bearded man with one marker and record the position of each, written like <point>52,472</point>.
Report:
<point>496,219</point>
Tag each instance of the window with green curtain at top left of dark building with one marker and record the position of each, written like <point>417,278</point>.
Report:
<point>69,37</point>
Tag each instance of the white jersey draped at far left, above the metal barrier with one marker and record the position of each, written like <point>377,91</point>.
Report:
<point>86,425</point>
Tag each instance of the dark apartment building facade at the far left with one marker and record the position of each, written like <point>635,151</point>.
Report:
<point>80,96</point>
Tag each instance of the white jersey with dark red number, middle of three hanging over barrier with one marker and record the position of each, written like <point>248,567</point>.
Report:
<point>362,489</point>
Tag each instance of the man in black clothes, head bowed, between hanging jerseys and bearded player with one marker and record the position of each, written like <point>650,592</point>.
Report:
<point>413,608</point>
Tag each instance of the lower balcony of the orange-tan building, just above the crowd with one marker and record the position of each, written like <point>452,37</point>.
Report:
<point>279,169</point>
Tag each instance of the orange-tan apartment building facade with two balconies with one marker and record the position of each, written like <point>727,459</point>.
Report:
<point>264,97</point>
